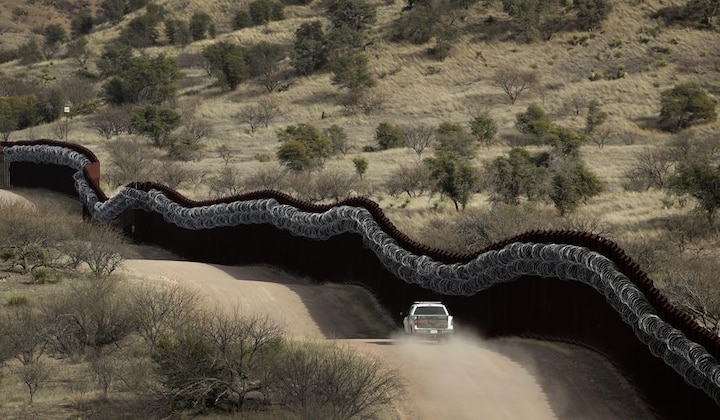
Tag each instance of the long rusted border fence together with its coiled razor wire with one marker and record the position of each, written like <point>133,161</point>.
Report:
<point>558,285</point>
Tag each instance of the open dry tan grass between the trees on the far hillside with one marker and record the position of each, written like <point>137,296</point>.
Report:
<point>648,54</point>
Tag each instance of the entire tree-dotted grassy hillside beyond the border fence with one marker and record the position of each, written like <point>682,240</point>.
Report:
<point>468,121</point>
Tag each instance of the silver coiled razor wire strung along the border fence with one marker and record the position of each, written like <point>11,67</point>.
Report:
<point>564,262</point>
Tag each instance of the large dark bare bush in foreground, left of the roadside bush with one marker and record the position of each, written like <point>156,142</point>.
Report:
<point>218,360</point>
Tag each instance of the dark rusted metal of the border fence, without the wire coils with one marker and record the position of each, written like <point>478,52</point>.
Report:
<point>530,306</point>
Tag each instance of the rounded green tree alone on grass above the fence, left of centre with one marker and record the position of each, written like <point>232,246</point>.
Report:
<point>303,146</point>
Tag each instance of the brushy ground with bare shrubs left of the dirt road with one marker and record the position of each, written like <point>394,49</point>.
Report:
<point>74,326</point>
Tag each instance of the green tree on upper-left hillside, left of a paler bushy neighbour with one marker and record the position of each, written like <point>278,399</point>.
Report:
<point>227,63</point>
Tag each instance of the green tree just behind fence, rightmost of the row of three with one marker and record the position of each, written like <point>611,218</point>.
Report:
<point>573,185</point>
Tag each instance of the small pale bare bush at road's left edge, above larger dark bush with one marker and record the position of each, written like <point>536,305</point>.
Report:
<point>158,310</point>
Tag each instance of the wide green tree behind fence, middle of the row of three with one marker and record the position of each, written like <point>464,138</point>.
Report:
<point>518,174</point>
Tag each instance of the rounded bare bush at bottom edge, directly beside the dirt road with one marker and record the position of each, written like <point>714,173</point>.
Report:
<point>329,381</point>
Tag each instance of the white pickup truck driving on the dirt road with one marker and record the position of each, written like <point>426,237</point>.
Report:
<point>429,319</point>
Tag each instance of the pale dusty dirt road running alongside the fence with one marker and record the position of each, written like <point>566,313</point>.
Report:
<point>468,378</point>
